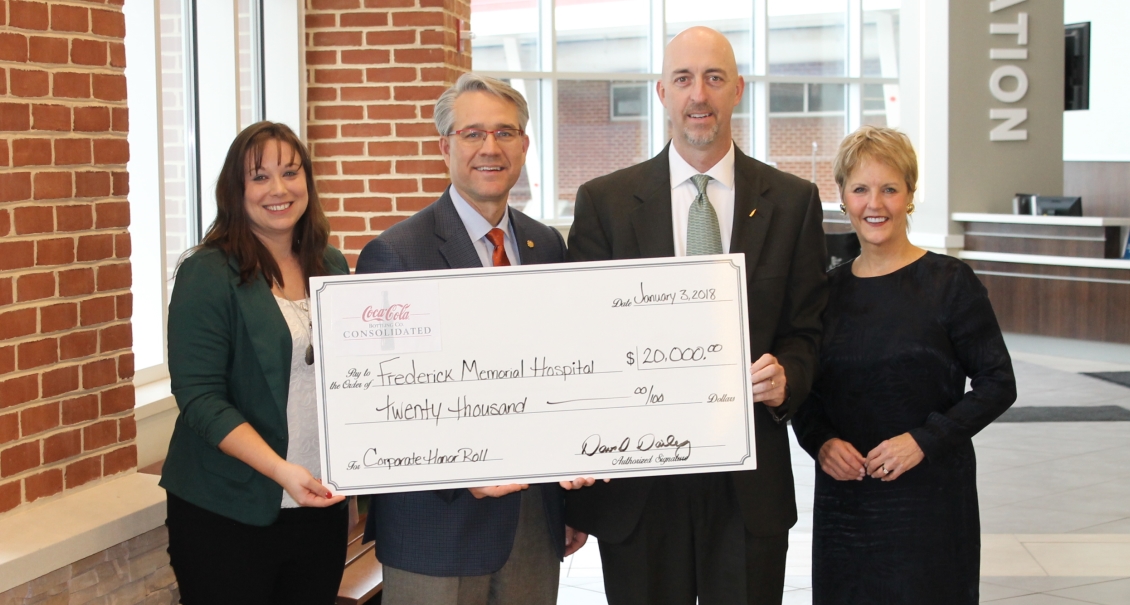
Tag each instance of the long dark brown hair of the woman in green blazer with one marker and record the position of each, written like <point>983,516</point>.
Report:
<point>231,232</point>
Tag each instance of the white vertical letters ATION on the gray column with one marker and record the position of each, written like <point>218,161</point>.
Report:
<point>1007,131</point>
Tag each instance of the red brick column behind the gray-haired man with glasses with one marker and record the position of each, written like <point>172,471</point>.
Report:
<point>375,70</point>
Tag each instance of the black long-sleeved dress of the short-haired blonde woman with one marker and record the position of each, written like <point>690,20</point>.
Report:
<point>897,352</point>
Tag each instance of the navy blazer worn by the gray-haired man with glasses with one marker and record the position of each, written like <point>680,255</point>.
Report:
<point>449,532</point>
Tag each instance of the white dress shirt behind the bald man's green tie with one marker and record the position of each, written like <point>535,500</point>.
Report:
<point>719,189</point>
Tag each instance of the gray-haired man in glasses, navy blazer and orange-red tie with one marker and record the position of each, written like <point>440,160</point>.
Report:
<point>486,546</point>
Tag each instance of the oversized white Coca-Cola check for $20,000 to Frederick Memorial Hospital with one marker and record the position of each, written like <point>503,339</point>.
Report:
<point>532,375</point>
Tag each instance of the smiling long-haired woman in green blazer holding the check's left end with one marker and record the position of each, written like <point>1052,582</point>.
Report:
<point>249,521</point>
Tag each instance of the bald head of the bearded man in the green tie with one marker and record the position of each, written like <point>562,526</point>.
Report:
<point>700,89</point>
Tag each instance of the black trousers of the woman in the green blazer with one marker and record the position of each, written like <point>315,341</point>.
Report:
<point>219,561</point>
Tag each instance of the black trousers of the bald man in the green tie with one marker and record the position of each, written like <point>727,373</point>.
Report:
<point>692,547</point>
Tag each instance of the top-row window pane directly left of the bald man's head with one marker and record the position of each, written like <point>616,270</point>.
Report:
<point>604,37</point>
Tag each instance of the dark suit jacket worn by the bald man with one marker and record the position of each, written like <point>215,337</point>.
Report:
<point>628,214</point>
